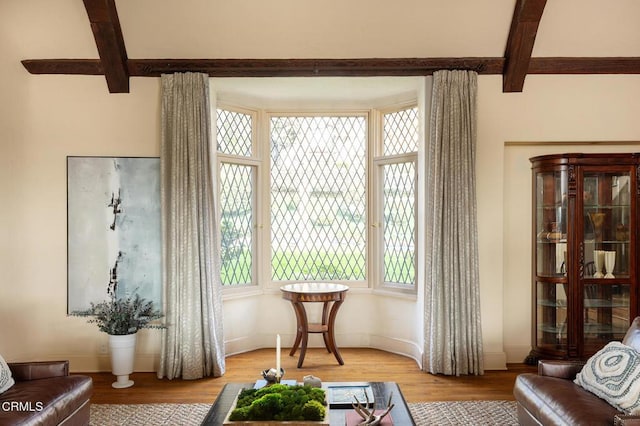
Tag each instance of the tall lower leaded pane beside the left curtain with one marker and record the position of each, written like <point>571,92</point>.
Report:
<point>236,201</point>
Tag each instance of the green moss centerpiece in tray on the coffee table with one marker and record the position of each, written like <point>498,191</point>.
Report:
<point>280,403</point>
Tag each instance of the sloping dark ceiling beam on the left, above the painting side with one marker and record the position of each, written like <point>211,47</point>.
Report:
<point>110,43</point>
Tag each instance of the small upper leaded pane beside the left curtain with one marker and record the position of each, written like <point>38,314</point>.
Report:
<point>234,133</point>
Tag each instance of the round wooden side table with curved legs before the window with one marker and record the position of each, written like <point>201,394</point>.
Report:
<point>332,296</point>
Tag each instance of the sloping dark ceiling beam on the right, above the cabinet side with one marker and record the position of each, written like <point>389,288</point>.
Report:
<point>522,37</point>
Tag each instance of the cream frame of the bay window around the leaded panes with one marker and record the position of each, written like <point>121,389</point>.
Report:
<point>260,159</point>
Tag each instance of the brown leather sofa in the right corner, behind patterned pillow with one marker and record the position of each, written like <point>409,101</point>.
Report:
<point>552,398</point>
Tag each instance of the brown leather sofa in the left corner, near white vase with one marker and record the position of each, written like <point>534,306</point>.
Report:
<point>45,393</point>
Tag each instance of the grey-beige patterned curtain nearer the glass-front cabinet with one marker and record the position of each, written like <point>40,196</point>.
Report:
<point>453,336</point>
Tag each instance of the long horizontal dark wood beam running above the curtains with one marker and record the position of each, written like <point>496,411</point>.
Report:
<point>334,67</point>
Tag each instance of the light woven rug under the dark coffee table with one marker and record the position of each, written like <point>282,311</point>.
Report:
<point>501,413</point>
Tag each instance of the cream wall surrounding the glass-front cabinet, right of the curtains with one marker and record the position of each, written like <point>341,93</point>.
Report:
<point>551,108</point>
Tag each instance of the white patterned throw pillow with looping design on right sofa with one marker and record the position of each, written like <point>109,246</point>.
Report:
<point>613,374</point>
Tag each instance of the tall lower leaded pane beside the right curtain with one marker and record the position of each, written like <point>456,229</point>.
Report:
<point>399,223</point>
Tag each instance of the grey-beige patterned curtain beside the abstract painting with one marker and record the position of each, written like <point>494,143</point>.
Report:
<point>193,343</point>
